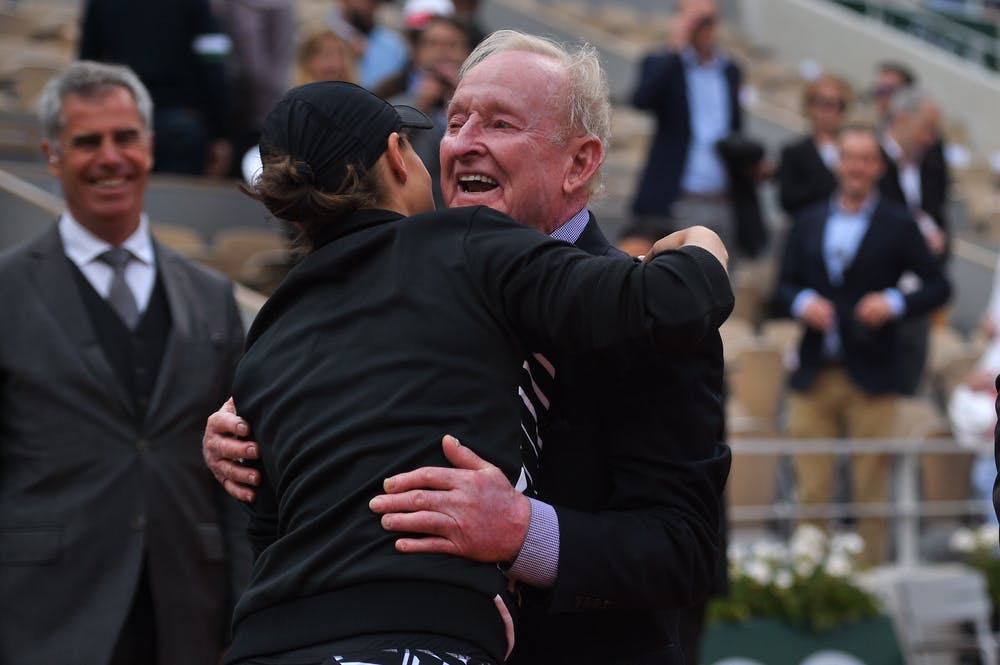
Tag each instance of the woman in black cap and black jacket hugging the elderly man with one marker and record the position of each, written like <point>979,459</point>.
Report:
<point>403,323</point>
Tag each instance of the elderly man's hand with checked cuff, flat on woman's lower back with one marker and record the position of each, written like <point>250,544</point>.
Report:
<point>471,511</point>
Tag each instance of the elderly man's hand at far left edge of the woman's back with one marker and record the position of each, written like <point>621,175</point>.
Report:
<point>222,451</point>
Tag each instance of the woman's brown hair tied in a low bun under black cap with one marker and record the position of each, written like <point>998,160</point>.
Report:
<point>287,190</point>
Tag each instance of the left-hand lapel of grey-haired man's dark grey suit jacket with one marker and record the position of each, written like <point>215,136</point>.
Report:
<point>53,277</point>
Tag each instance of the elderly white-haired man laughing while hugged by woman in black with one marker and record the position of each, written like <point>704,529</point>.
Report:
<point>625,470</point>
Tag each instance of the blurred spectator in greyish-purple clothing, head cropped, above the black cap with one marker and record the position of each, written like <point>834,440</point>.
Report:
<point>263,37</point>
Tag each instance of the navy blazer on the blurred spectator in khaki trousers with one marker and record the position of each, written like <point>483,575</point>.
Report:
<point>892,245</point>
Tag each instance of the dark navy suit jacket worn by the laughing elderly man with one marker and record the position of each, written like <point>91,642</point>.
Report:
<point>633,464</point>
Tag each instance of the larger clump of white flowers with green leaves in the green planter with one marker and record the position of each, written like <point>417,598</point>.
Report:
<point>810,583</point>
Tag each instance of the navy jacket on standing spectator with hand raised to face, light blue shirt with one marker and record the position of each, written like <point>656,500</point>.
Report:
<point>662,89</point>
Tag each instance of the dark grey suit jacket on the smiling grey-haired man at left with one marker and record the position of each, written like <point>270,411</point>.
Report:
<point>87,495</point>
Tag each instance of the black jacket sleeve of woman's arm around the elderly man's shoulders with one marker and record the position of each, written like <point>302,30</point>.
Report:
<point>556,296</point>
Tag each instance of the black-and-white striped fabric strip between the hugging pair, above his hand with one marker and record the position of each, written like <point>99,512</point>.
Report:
<point>537,376</point>
